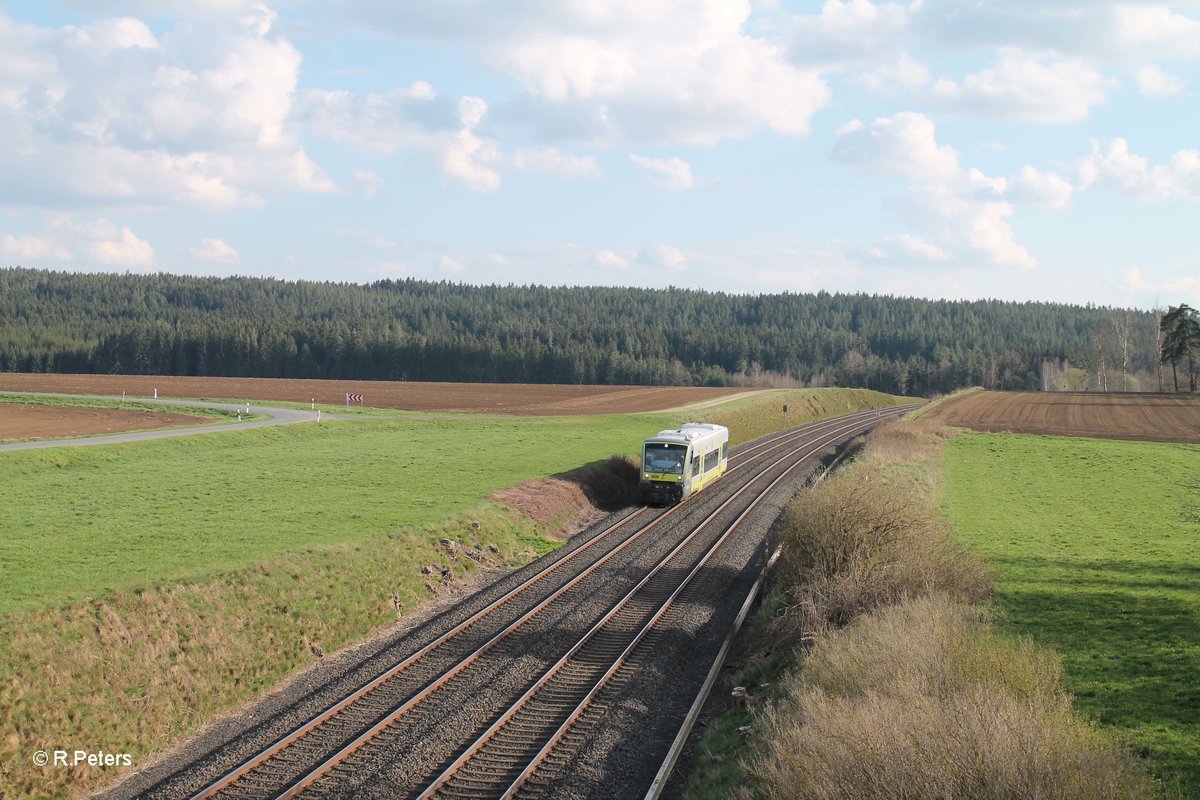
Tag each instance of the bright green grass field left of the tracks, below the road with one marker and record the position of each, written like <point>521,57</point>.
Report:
<point>82,522</point>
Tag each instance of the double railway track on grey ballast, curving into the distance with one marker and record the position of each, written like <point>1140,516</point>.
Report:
<point>616,612</point>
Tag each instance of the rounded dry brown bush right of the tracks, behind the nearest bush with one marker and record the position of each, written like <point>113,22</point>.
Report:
<point>854,545</point>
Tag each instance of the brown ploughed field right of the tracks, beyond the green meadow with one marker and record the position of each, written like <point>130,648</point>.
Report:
<point>1149,418</point>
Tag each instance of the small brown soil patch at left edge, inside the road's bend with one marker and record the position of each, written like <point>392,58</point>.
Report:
<point>23,423</point>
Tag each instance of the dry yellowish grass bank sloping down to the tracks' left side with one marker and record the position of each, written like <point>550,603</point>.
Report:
<point>136,671</point>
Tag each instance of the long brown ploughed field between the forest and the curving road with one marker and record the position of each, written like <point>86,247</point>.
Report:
<point>412,396</point>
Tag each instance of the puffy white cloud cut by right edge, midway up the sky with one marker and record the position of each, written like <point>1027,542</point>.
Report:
<point>1114,167</point>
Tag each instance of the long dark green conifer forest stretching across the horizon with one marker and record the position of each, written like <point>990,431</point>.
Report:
<point>422,330</point>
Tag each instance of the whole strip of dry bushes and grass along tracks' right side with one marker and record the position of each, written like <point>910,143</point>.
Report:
<point>875,673</point>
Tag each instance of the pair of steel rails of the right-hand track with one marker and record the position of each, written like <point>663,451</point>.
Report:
<point>559,667</point>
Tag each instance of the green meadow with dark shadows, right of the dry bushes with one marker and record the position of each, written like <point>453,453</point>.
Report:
<point>1097,551</point>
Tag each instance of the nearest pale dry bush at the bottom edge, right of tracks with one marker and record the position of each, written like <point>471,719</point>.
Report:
<point>922,701</point>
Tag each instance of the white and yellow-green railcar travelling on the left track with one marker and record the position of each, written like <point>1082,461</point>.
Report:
<point>679,464</point>
